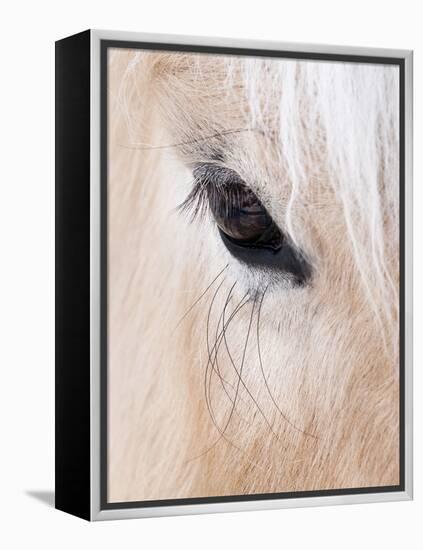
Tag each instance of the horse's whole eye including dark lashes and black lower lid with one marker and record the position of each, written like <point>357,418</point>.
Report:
<point>244,225</point>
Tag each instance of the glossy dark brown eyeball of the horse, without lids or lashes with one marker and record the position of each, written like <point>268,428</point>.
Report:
<point>243,219</point>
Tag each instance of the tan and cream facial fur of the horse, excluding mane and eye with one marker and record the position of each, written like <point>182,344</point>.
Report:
<point>332,419</point>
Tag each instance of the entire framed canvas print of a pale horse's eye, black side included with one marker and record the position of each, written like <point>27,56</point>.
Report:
<point>233,275</point>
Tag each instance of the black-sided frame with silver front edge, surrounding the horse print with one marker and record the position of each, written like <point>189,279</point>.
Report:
<point>81,60</point>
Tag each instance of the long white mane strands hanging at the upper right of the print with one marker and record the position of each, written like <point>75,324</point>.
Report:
<point>349,112</point>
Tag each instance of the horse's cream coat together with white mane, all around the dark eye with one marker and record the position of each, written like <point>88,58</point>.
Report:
<point>318,141</point>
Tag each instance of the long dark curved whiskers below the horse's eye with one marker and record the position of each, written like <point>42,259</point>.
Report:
<point>231,379</point>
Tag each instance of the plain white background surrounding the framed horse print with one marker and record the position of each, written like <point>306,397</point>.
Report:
<point>27,36</point>
